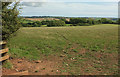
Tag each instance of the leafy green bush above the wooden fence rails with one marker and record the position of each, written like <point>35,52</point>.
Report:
<point>10,19</point>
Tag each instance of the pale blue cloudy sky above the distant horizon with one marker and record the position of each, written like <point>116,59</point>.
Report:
<point>70,8</point>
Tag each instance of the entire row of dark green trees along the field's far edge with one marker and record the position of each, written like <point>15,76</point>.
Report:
<point>71,22</point>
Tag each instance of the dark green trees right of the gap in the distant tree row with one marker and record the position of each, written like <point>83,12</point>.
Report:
<point>90,21</point>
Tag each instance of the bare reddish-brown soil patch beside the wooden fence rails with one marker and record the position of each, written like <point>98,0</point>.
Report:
<point>39,67</point>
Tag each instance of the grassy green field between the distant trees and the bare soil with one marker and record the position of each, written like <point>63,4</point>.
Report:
<point>86,49</point>
